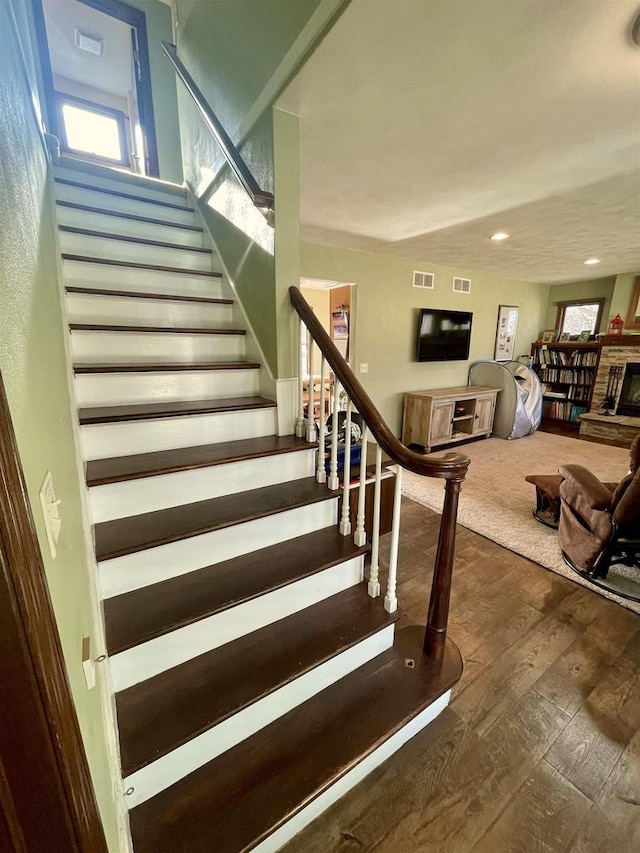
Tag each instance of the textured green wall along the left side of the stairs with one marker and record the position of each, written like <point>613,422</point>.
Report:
<point>33,365</point>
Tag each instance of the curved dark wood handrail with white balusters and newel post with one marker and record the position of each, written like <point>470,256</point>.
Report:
<point>451,467</point>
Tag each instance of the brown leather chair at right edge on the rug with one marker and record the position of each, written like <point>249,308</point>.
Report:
<point>600,524</point>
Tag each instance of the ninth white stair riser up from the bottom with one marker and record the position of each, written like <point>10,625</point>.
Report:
<point>128,311</point>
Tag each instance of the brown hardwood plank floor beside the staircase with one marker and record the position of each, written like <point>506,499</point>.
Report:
<point>540,747</point>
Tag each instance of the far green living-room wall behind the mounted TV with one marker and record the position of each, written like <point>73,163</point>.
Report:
<point>386,315</point>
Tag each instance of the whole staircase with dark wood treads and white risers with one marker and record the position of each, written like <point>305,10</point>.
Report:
<point>255,680</point>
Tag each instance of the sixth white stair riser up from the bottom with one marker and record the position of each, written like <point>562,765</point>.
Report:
<point>101,441</point>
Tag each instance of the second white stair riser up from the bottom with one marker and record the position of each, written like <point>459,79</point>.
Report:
<point>177,764</point>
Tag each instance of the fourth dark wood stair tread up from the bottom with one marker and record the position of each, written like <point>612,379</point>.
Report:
<point>148,530</point>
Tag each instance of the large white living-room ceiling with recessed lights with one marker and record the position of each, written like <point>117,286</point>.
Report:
<point>427,125</point>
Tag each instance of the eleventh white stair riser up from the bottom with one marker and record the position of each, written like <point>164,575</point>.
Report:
<point>119,250</point>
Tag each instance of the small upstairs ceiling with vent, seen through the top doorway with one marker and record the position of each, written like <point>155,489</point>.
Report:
<point>111,72</point>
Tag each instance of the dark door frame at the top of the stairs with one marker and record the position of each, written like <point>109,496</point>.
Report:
<point>137,20</point>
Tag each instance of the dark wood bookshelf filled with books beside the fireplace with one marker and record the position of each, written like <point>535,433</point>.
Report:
<point>567,373</point>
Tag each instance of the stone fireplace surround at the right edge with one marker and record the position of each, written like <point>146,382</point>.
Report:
<point>621,429</point>
